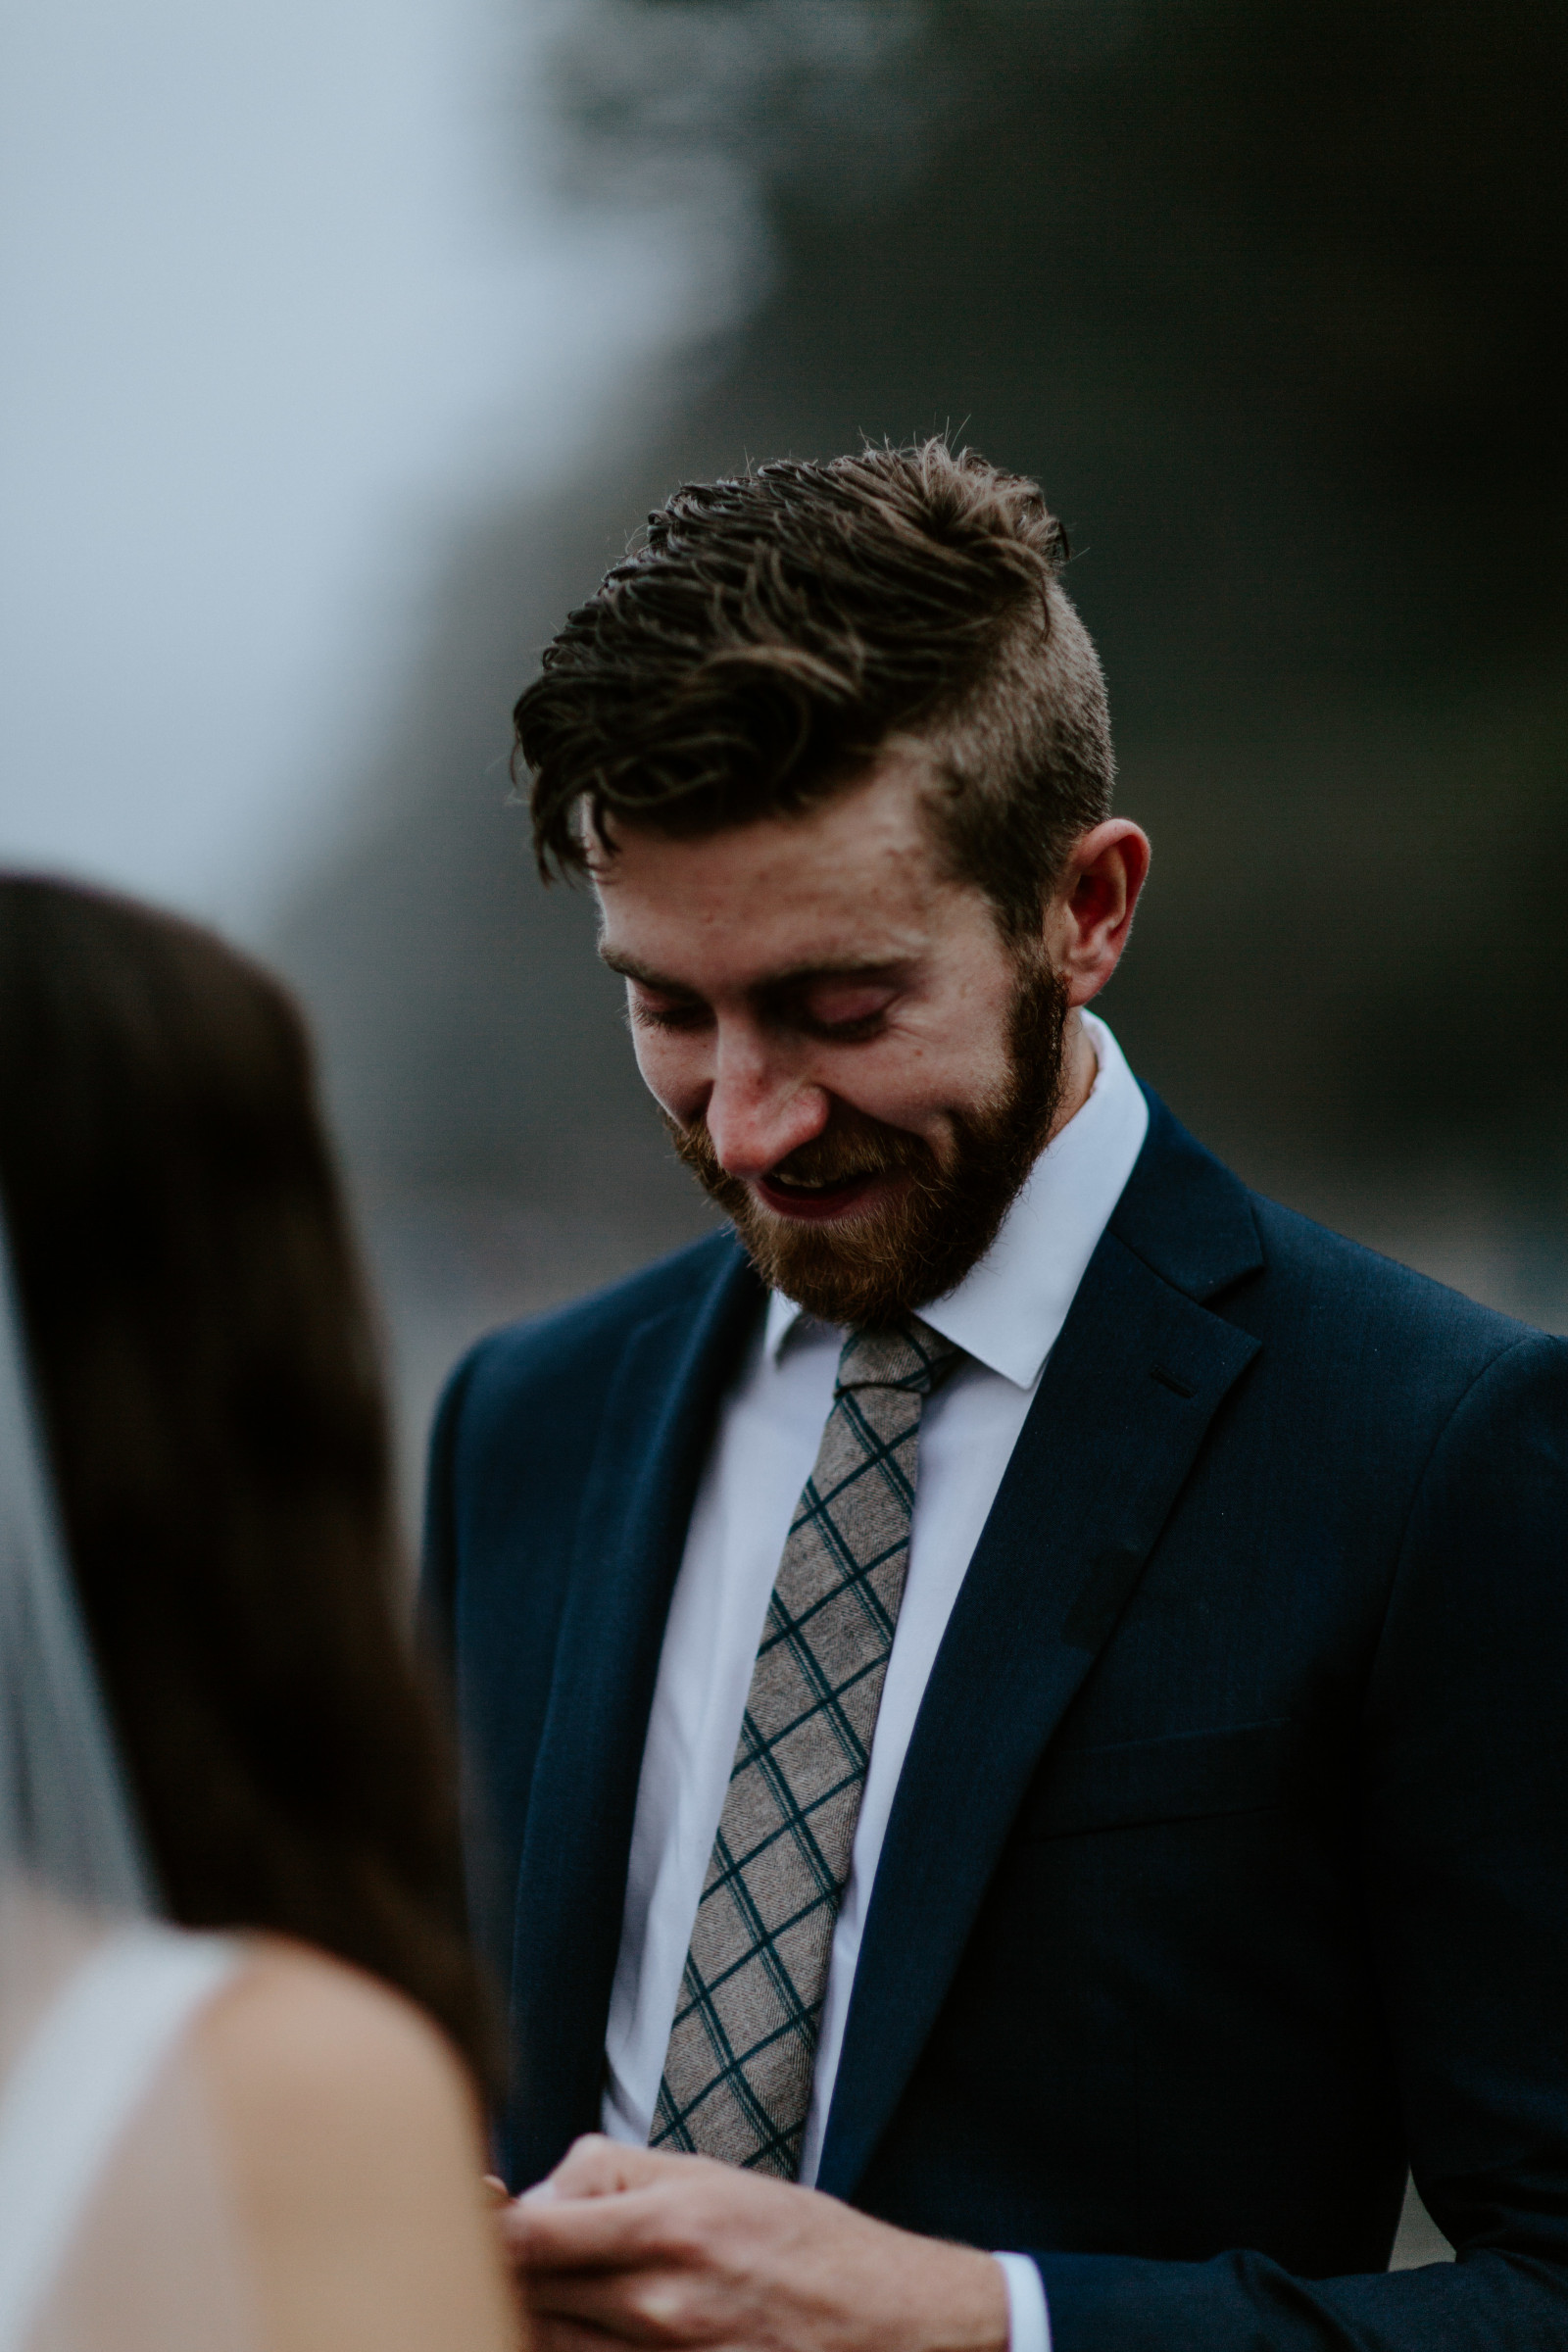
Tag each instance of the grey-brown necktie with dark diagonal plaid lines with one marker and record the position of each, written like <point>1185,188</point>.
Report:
<point>744,2045</point>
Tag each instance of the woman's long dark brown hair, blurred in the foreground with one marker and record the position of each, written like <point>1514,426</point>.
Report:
<point>220,1438</point>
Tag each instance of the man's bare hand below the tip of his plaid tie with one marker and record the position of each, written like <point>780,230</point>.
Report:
<point>676,2252</point>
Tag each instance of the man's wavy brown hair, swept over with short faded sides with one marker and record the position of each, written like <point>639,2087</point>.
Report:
<point>777,632</point>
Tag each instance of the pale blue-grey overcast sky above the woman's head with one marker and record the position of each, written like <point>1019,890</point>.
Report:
<point>286,295</point>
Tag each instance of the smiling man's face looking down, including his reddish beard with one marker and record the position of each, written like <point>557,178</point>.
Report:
<point>847,1053</point>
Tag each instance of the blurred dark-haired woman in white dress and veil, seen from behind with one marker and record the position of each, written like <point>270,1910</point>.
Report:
<point>253,2125</point>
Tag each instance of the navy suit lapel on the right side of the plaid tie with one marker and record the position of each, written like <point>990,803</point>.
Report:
<point>1123,1410</point>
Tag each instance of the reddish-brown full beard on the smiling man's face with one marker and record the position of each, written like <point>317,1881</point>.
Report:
<point>871,1271</point>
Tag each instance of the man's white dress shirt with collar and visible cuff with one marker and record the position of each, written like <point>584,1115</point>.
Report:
<point>1005,1316</point>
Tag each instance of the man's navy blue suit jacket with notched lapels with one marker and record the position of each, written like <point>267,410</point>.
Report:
<point>1228,1864</point>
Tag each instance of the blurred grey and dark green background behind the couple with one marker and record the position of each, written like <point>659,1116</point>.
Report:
<point>349,345</point>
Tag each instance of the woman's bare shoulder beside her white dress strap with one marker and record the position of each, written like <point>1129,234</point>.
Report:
<point>356,2153</point>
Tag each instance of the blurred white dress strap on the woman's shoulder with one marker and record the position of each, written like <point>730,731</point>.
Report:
<point>74,2090</point>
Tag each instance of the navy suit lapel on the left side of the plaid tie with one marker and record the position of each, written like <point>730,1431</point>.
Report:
<point>631,1532</point>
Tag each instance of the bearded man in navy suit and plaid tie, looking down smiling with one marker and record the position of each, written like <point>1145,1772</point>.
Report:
<point>1017,1692</point>
